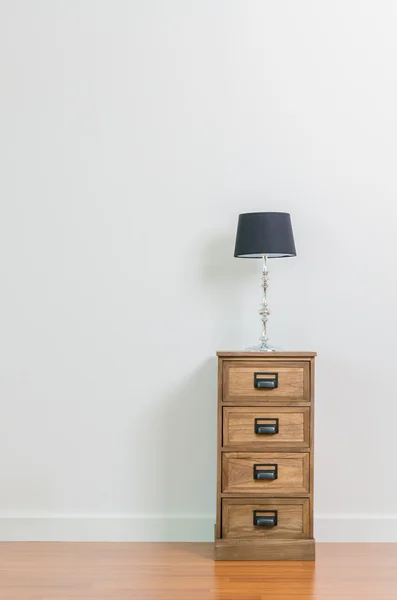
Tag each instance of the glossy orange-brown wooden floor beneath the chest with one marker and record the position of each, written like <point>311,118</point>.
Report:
<point>59,571</point>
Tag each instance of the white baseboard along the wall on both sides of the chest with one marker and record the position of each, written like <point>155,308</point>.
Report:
<point>184,528</point>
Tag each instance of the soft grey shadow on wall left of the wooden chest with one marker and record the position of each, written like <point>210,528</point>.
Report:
<point>185,437</point>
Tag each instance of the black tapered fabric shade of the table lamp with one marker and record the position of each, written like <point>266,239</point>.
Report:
<point>264,233</point>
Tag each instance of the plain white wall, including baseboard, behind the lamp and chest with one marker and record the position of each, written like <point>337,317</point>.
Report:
<point>132,135</point>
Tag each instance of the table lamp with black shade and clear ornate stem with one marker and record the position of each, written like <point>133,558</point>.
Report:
<point>264,235</point>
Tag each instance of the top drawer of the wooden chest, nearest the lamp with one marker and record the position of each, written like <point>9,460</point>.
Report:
<point>266,381</point>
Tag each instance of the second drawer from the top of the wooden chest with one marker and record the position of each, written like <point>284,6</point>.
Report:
<point>266,428</point>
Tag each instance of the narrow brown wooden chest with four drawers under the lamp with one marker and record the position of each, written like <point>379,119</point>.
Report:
<point>265,456</point>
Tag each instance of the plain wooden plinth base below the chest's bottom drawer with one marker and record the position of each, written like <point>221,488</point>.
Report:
<point>264,550</point>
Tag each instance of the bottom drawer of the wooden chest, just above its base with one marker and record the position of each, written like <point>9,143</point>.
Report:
<point>275,518</point>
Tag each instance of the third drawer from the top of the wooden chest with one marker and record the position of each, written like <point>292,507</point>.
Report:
<point>265,473</point>
